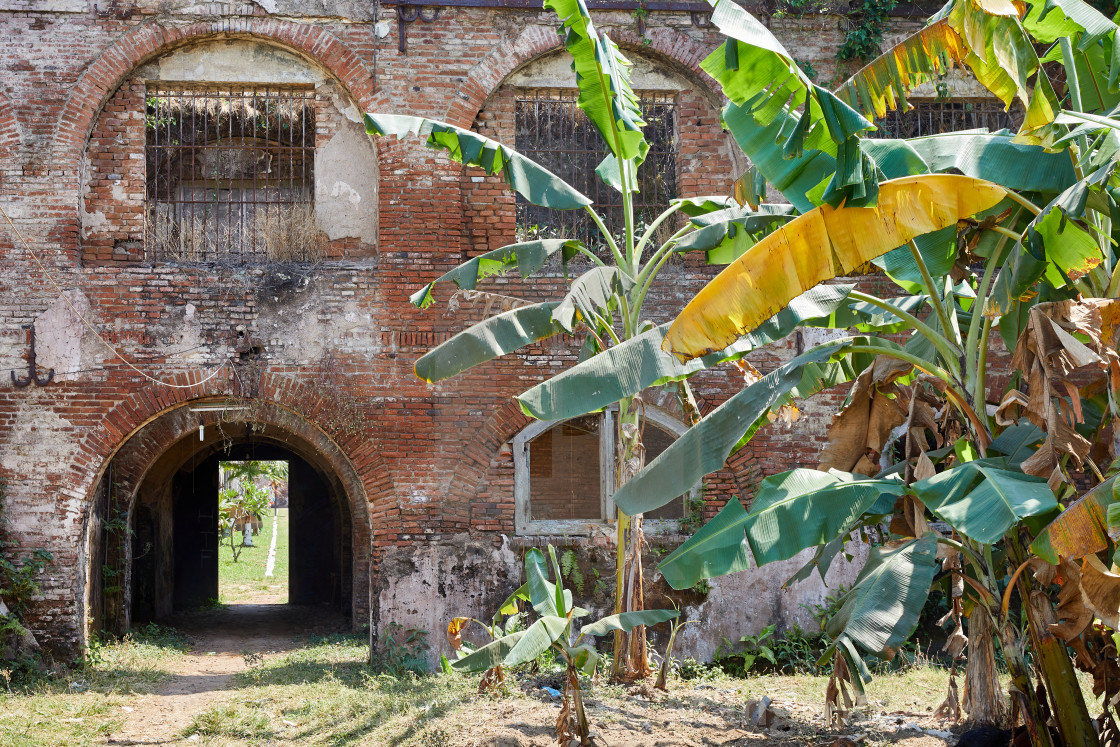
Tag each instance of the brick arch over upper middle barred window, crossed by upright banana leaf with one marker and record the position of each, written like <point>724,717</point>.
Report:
<point>486,78</point>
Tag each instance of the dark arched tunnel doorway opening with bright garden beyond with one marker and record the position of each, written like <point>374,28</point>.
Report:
<point>186,503</point>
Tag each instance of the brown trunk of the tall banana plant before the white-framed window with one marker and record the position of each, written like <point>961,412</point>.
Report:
<point>631,660</point>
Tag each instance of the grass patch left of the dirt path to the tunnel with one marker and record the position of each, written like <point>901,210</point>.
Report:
<point>79,708</point>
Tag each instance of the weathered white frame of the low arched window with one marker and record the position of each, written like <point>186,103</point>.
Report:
<point>522,488</point>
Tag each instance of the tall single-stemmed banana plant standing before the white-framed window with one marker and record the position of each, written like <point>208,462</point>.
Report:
<point>606,302</point>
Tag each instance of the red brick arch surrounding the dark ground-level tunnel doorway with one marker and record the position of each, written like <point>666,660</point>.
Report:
<point>288,405</point>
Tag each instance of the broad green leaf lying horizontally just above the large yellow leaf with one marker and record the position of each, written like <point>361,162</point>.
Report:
<point>997,158</point>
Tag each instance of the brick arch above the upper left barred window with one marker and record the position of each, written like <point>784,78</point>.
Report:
<point>142,44</point>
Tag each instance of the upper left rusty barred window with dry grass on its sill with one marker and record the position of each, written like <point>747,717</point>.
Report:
<point>231,174</point>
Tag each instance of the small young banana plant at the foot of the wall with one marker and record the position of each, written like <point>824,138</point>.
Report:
<point>557,629</point>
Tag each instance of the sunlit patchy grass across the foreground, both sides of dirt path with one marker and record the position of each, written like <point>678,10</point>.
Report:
<point>326,694</point>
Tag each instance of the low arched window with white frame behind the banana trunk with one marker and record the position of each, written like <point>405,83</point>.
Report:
<point>565,474</point>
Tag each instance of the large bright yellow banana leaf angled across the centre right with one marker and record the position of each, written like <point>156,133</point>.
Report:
<point>822,245</point>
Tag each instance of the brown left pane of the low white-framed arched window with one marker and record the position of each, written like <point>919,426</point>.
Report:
<point>564,472</point>
